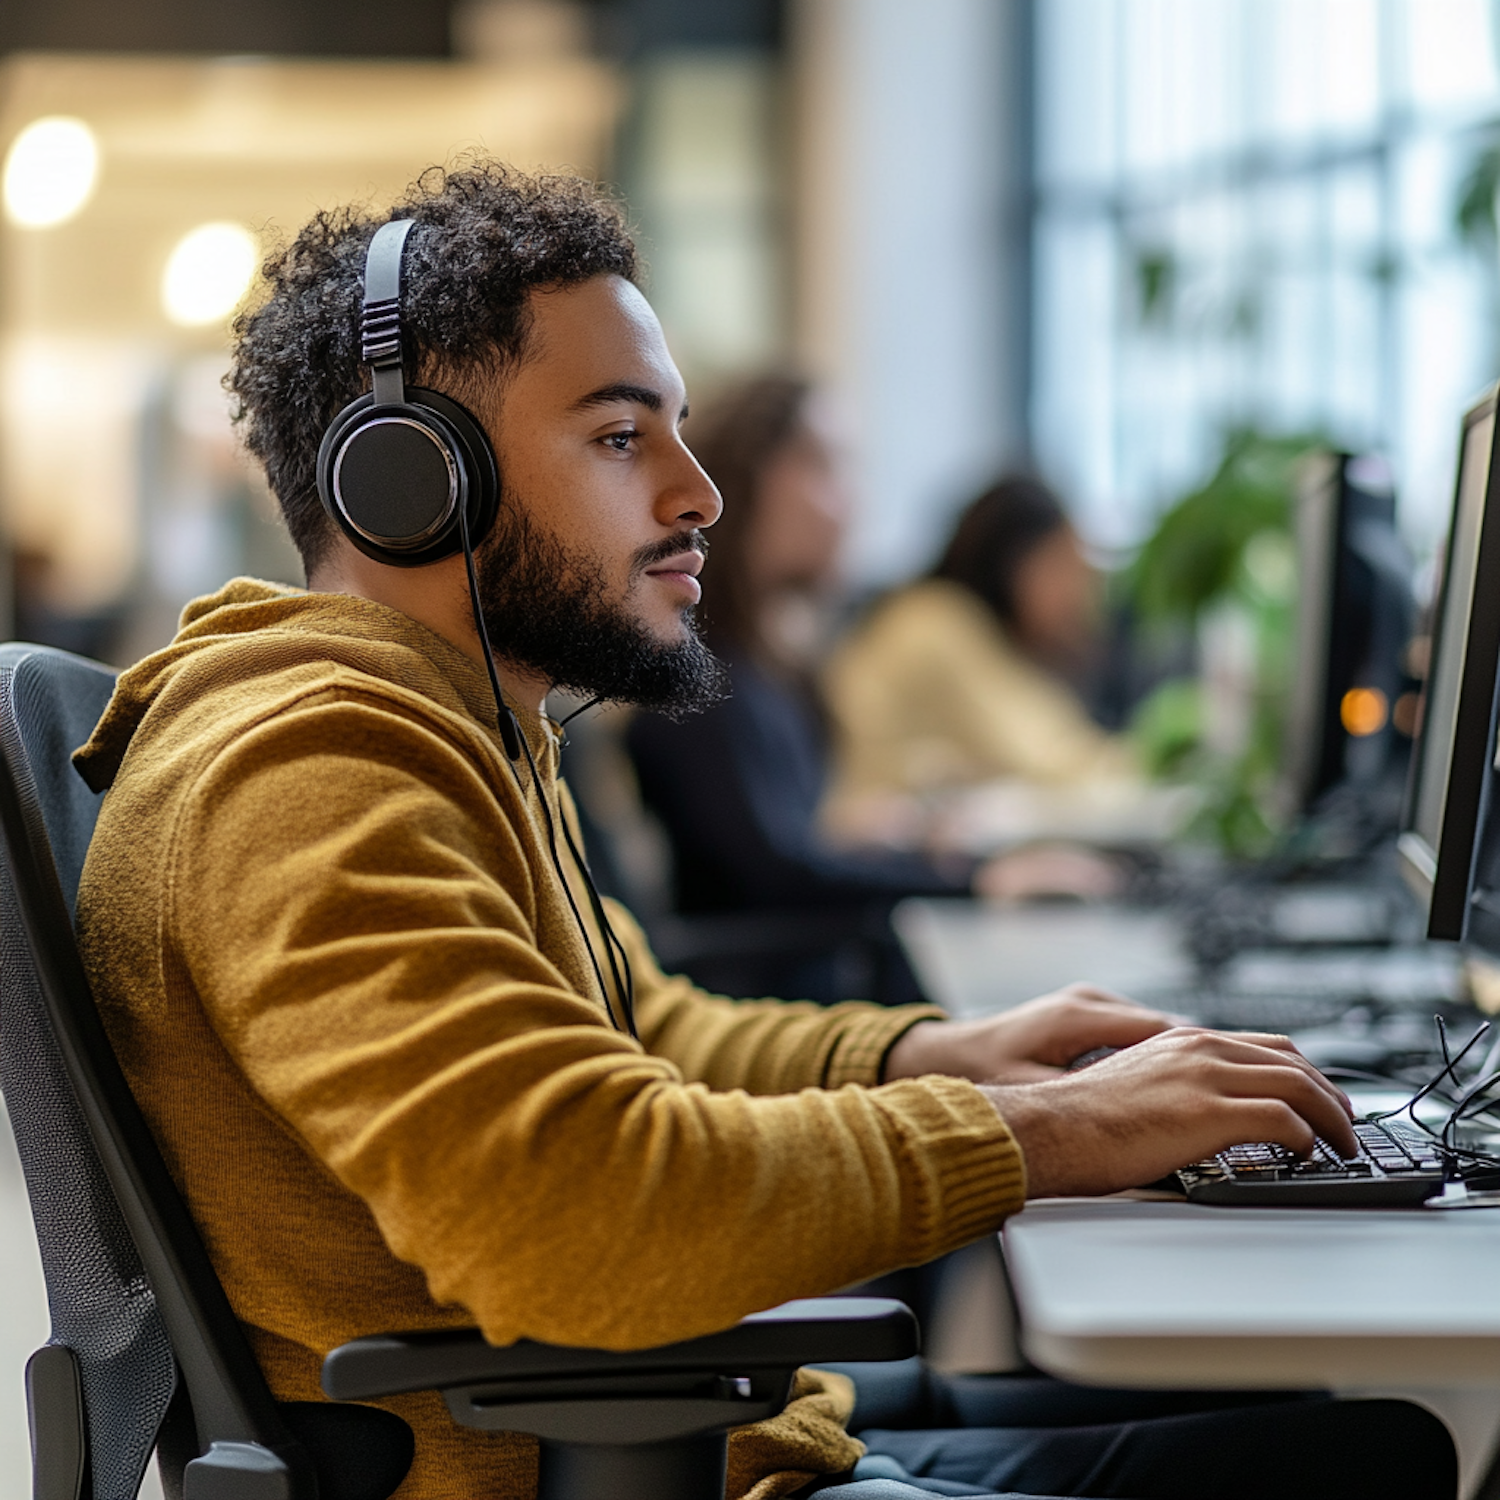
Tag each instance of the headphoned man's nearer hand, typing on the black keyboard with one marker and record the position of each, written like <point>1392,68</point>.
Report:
<point>1174,1100</point>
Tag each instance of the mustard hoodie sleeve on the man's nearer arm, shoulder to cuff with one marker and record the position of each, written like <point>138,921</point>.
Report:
<point>362,922</point>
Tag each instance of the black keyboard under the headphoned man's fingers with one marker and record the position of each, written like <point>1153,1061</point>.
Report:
<point>1396,1166</point>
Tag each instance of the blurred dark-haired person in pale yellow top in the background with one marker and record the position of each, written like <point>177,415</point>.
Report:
<point>968,676</point>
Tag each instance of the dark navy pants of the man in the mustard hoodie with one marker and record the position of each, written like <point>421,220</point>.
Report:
<point>1028,1435</point>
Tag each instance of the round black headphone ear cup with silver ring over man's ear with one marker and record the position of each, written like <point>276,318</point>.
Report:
<point>394,478</point>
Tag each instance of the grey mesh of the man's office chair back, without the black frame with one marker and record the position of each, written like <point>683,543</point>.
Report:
<point>100,1300</point>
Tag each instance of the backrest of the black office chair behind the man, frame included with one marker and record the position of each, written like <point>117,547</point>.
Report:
<point>130,1285</point>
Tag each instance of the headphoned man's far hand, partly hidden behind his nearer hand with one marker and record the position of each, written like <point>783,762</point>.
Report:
<point>1025,1045</point>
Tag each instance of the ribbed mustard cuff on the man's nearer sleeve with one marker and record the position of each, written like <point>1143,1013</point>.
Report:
<point>964,1168</point>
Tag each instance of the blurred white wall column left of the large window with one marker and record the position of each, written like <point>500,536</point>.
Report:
<point>902,298</point>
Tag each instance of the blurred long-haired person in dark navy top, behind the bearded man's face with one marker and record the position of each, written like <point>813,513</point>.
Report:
<point>739,788</point>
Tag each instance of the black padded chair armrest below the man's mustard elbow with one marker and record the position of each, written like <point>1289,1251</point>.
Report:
<point>781,1339</point>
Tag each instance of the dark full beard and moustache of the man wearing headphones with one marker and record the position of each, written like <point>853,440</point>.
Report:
<point>550,613</point>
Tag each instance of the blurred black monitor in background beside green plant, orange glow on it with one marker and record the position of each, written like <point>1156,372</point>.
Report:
<point>1354,623</point>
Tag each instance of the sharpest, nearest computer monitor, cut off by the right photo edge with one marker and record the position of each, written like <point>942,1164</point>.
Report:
<point>1451,764</point>
